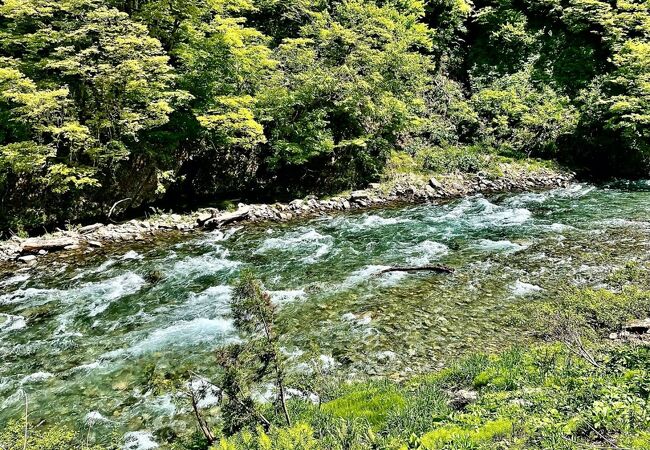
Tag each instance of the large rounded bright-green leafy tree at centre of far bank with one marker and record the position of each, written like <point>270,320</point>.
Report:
<point>349,85</point>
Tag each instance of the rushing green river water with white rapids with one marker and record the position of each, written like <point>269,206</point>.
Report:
<point>84,340</point>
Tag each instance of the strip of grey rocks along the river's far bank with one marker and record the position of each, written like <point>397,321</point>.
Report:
<point>403,188</point>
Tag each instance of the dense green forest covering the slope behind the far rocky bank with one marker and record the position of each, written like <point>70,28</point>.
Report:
<point>154,100</point>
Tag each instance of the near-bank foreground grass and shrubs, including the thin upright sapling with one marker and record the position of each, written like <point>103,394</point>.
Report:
<point>583,388</point>
